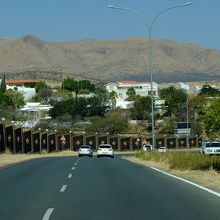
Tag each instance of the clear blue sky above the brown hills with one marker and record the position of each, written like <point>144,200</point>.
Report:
<point>61,20</point>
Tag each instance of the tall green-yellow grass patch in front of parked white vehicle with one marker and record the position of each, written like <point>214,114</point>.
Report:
<point>180,160</point>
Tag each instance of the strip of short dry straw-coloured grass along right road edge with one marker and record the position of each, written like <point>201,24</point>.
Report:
<point>209,178</point>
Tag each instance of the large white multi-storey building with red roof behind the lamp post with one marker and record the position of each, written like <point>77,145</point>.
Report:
<point>121,88</point>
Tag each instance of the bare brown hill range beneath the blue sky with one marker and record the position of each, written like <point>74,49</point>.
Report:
<point>34,58</point>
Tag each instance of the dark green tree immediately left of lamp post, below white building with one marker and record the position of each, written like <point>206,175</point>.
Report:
<point>141,108</point>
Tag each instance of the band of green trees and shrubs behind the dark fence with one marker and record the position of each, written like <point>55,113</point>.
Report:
<point>79,105</point>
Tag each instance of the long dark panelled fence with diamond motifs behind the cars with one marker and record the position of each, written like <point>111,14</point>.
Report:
<point>18,140</point>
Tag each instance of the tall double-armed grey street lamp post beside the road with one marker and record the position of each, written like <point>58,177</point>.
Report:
<point>150,28</point>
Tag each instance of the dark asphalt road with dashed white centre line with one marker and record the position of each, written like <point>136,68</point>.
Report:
<point>72,188</point>
